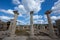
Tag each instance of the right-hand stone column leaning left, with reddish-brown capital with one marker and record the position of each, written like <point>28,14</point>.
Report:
<point>51,30</point>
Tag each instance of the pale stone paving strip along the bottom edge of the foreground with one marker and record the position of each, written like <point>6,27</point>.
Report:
<point>27,38</point>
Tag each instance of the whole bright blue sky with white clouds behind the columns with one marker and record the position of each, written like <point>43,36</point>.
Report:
<point>25,6</point>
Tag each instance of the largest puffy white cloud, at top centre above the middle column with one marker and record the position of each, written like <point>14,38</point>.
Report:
<point>32,5</point>
